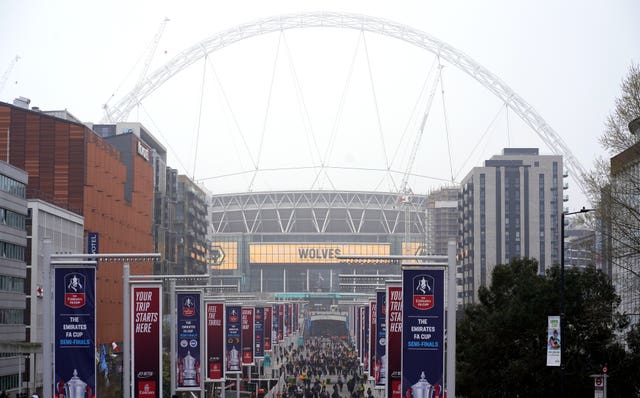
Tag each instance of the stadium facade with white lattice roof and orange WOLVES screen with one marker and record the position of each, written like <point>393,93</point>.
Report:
<point>288,241</point>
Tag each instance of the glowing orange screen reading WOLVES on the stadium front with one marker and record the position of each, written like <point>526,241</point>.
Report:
<point>311,253</point>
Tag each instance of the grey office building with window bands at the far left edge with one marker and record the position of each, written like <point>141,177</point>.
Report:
<point>13,273</point>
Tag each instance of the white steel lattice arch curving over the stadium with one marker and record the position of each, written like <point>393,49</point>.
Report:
<point>385,27</point>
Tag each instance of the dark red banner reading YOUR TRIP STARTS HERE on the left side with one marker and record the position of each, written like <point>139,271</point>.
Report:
<point>146,340</point>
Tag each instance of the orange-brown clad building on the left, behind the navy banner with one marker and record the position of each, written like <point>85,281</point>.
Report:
<point>71,166</point>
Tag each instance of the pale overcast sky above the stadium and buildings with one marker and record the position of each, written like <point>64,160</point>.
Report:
<point>565,58</point>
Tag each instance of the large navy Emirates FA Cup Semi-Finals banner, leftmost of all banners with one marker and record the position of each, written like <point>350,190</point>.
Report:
<point>75,325</point>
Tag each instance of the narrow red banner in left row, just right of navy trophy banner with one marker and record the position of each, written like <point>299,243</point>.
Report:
<point>215,340</point>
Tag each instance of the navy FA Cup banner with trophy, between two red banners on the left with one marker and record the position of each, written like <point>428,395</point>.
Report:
<point>188,341</point>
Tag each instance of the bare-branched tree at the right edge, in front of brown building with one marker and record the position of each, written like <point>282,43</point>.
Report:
<point>614,188</point>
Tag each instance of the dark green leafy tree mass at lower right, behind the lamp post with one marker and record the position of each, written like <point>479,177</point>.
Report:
<point>502,339</point>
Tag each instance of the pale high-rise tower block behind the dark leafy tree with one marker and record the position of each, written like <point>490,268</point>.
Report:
<point>510,208</point>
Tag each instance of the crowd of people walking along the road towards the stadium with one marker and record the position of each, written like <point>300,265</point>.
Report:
<point>323,367</point>
